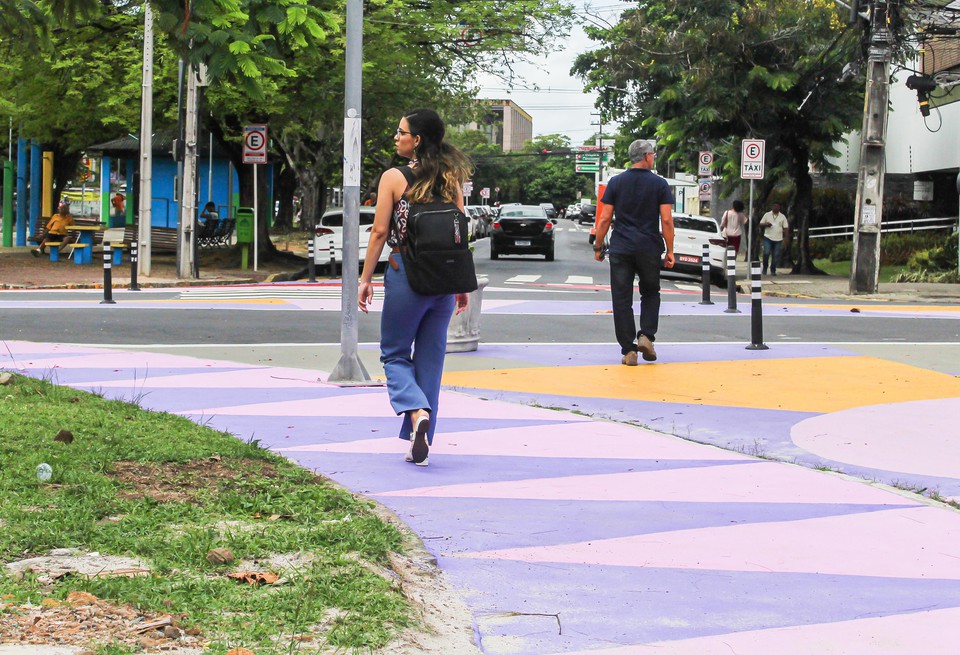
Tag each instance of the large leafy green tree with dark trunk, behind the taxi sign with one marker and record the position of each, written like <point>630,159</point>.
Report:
<point>706,75</point>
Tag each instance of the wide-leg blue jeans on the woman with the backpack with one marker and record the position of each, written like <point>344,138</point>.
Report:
<point>413,344</point>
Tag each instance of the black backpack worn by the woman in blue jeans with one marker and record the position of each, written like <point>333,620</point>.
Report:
<point>436,252</point>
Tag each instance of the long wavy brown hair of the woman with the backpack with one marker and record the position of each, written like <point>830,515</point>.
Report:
<point>441,168</point>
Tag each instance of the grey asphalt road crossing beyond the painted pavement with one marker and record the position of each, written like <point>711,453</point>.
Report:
<point>573,278</point>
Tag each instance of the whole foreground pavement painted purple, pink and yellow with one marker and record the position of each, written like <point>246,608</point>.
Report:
<point>570,533</point>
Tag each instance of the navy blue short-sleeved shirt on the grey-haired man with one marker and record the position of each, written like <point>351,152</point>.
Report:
<point>636,195</point>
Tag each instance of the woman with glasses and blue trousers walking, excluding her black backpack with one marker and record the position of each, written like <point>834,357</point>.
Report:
<point>413,327</point>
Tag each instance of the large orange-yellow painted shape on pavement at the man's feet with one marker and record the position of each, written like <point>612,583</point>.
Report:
<point>816,384</point>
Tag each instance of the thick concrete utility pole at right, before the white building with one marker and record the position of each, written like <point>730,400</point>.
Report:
<point>865,266</point>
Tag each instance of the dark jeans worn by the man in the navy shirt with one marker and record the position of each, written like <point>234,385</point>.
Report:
<point>624,269</point>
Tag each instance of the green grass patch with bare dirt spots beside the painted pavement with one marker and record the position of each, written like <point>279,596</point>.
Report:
<point>163,489</point>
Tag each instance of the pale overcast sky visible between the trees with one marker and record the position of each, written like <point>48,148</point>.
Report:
<point>559,106</point>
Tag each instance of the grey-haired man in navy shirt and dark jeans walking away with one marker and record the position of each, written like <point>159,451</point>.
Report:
<point>642,203</point>
